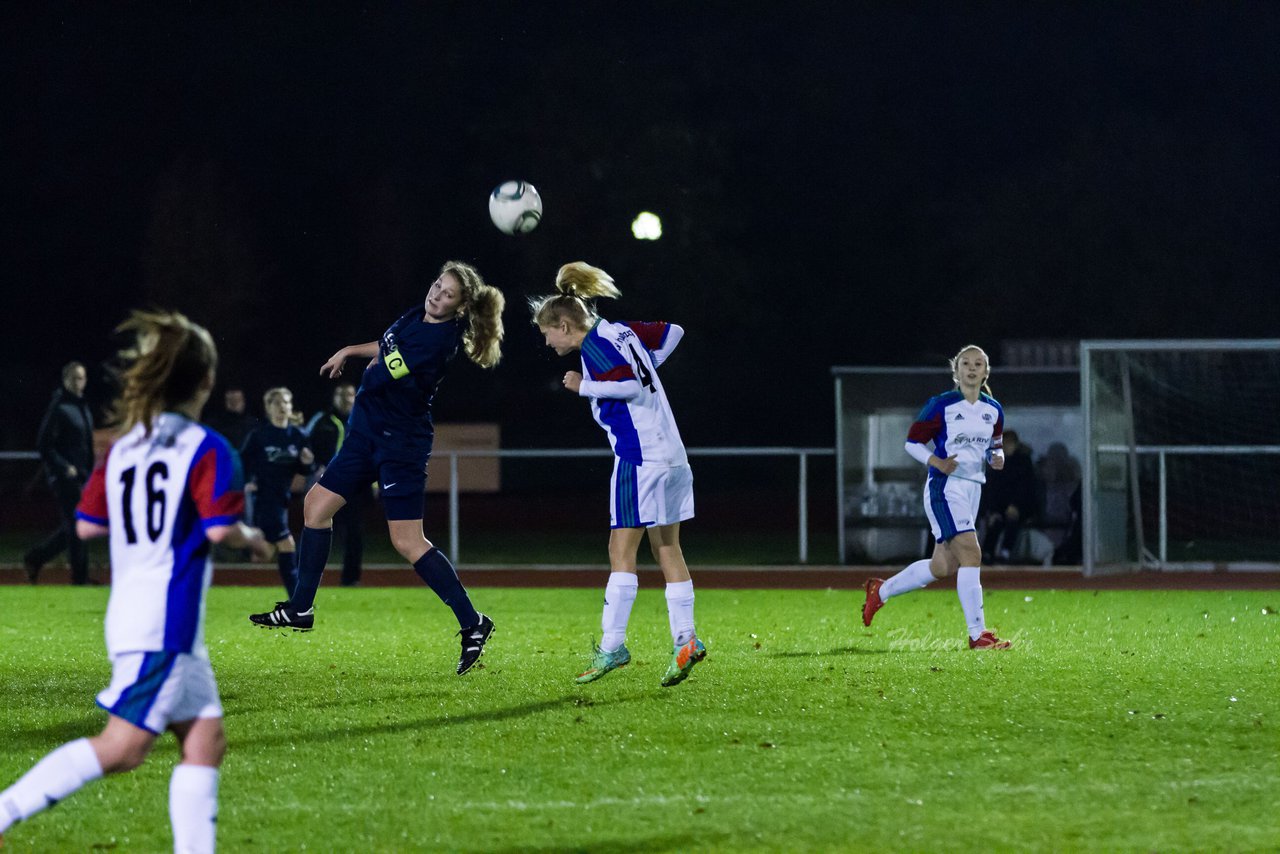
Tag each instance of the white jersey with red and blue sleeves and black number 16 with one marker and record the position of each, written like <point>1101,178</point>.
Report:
<point>158,496</point>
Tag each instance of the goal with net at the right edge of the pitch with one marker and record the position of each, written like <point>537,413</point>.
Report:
<point>1182,465</point>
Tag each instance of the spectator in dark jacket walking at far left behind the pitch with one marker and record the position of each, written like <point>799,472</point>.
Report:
<point>67,450</point>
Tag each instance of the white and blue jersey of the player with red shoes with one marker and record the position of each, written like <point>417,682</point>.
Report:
<point>962,431</point>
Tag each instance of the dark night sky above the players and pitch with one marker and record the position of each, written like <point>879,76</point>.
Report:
<point>840,184</point>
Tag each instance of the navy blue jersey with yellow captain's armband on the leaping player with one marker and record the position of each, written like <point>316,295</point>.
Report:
<point>395,398</point>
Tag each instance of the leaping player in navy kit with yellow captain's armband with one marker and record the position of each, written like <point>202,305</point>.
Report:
<point>390,441</point>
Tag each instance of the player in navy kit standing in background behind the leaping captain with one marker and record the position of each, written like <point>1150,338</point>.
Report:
<point>276,454</point>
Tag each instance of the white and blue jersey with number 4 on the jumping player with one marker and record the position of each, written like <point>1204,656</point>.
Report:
<point>620,376</point>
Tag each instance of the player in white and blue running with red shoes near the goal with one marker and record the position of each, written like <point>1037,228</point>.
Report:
<point>966,430</point>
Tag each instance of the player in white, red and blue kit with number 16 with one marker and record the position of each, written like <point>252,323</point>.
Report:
<point>168,490</point>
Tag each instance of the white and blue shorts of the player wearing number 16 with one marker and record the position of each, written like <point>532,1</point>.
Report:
<point>156,689</point>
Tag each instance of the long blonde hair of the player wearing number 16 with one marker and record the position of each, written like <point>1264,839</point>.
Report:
<point>170,362</point>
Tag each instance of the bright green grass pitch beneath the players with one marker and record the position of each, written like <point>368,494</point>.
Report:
<point>1121,721</point>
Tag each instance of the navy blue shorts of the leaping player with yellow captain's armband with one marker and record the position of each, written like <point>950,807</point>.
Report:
<point>401,476</point>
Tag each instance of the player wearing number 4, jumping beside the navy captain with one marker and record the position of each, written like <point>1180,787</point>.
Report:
<point>652,490</point>
